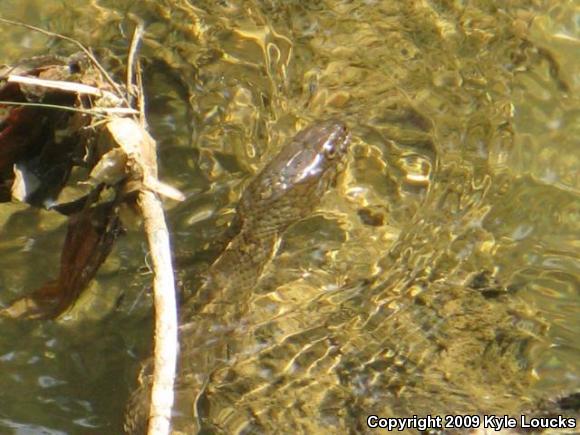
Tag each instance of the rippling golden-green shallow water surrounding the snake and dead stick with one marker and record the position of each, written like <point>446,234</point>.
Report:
<point>464,159</point>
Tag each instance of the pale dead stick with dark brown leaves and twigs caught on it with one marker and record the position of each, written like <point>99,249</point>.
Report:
<point>65,123</point>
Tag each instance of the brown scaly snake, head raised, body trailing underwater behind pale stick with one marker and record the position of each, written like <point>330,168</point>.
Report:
<point>285,191</point>
